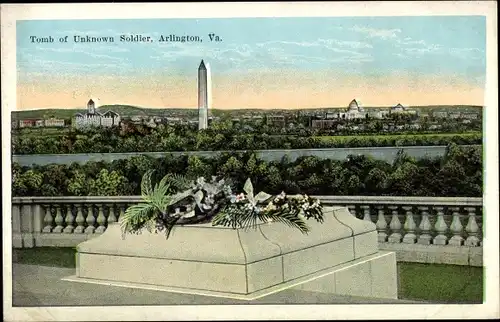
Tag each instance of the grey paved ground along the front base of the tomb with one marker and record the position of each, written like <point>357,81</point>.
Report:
<point>42,286</point>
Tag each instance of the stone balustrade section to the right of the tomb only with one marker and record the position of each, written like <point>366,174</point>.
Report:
<point>423,229</point>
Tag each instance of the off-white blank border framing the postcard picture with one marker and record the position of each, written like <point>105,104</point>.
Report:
<point>11,13</point>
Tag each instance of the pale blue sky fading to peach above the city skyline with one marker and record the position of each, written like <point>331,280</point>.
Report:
<point>259,62</point>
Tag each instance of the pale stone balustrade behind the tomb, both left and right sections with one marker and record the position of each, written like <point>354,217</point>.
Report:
<point>419,229</point>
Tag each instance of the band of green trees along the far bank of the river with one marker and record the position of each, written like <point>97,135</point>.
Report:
<point>220,136</point>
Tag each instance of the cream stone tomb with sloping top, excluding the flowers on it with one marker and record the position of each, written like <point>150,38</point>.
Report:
<point>339,256</point>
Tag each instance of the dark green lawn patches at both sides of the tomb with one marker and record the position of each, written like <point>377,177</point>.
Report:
<point>428,282</point>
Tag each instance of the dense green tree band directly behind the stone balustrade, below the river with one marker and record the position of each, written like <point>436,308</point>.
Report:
<point>457,173</point>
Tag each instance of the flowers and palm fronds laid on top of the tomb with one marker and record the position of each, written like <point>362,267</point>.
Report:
<point>176,200</point>
